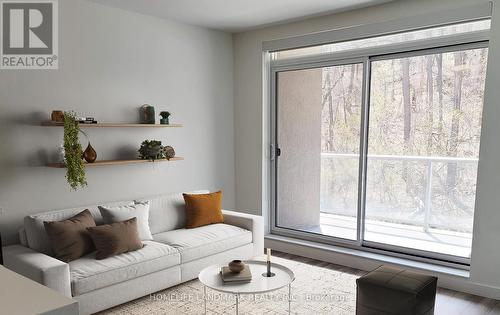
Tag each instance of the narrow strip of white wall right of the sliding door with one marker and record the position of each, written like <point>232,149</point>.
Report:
<point>485,264</point>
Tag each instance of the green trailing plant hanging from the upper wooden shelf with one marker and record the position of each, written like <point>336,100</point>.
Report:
<point>75,169</point>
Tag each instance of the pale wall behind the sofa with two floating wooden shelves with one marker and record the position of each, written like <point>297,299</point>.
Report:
<point>111,62</point>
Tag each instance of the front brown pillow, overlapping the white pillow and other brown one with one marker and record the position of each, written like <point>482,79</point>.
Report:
<point>116,238</point>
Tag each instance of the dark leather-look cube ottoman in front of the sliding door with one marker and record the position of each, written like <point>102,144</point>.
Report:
<point>388,290</point>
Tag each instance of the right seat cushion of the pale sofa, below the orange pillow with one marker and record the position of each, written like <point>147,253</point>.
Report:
<point>205,241</point>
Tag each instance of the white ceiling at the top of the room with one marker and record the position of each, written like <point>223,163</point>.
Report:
<point>237,15</point>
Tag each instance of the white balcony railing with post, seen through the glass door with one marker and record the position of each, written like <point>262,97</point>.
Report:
<point>429,161</point>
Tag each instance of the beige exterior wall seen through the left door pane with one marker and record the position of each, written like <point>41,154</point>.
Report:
<point>298,93</point>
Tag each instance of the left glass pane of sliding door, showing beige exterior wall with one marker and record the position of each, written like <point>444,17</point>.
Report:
<point>318,130</point>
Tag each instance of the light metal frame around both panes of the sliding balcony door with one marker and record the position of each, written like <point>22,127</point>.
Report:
<point>462,43</point>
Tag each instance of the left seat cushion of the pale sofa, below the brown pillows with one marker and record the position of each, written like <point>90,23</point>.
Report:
<point>88,274</point>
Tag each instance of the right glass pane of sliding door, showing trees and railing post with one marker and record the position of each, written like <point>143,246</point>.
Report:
<point>423,150</point>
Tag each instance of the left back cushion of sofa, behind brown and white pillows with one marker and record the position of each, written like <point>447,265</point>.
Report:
<point>36,236</point>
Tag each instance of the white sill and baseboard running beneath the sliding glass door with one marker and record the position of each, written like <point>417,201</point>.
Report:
<point>450,278</point>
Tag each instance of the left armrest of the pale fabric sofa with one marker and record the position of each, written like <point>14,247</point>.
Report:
<point>39,267</point>
